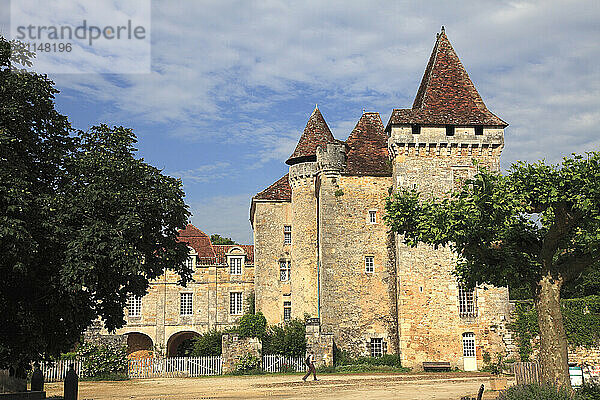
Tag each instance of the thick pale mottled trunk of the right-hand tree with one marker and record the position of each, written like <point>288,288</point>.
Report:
<point>553,339</point>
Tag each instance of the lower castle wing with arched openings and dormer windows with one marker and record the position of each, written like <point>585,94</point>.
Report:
<point>169,314</point>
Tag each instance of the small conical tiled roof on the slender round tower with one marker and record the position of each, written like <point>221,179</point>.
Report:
<point>315,133</point>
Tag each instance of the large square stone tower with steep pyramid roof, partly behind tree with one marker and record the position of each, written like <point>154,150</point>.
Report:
<point>432,146</point>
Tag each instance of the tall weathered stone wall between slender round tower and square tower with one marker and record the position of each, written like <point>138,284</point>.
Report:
<point>356,305</point>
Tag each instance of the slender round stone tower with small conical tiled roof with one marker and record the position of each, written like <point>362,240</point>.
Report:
<point>304,249</point>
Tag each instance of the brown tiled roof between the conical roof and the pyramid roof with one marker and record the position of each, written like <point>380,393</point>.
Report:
<point>367,148</point>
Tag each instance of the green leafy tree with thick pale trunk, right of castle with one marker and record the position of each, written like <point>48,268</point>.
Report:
<point>538,224</point>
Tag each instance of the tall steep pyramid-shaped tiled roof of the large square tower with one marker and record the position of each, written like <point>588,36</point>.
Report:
<point>446,94</point>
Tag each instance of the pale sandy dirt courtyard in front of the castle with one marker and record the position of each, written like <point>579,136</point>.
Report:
<point>448,386</point>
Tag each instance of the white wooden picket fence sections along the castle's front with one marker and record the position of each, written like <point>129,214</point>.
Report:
<point>173,367</point>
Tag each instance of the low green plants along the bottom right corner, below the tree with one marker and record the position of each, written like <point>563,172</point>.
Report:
<point>543,392</point>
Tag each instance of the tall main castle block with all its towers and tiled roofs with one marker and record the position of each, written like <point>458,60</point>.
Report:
<point>323,250</point>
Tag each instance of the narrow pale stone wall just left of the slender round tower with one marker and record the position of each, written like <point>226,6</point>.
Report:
<point>269,220</point>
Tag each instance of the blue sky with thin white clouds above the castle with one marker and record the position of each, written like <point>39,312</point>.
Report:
<point>233,83</point>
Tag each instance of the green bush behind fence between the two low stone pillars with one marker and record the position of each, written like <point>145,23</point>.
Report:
<point>288,339</point>
